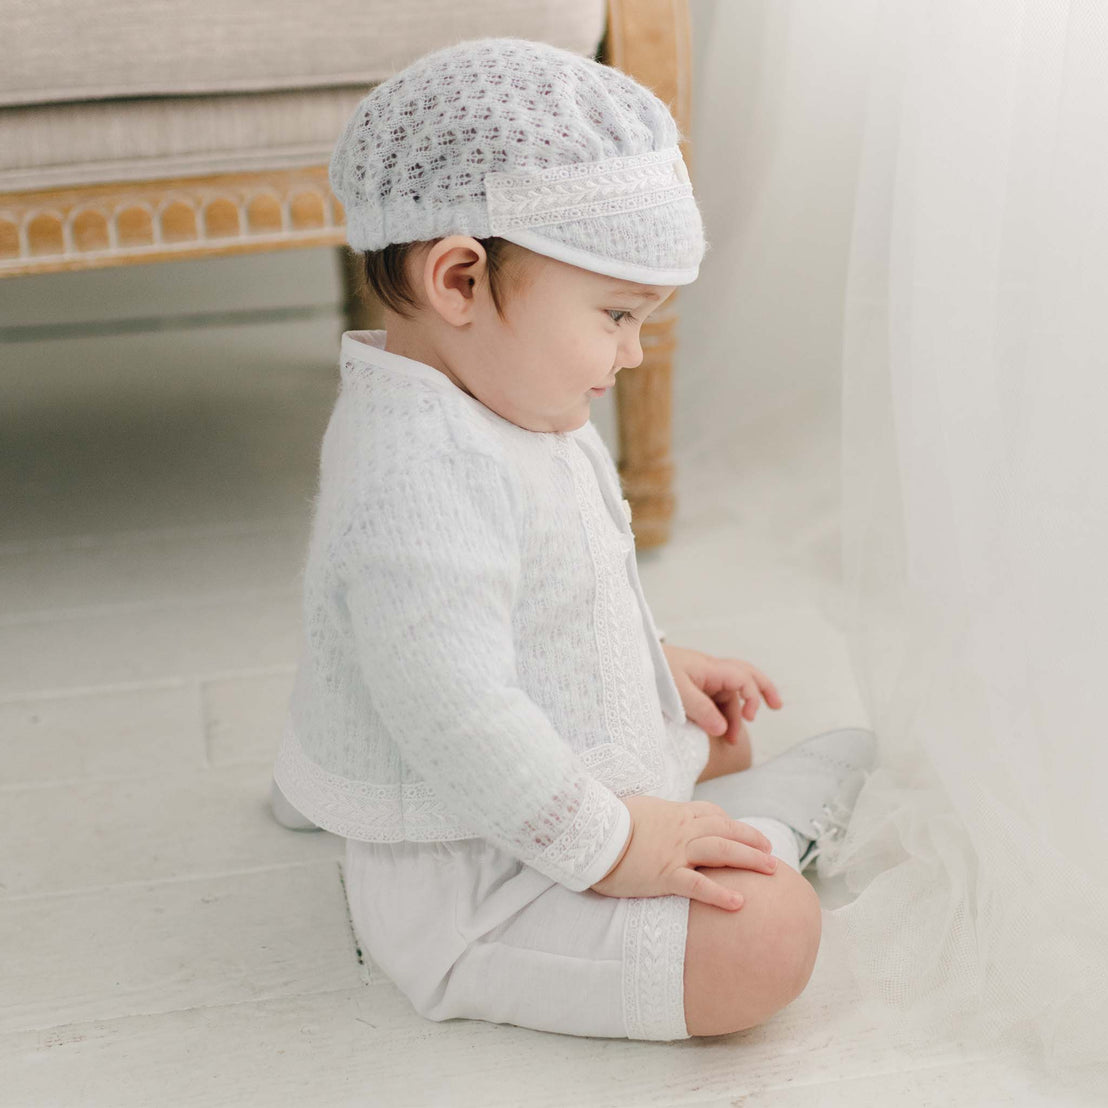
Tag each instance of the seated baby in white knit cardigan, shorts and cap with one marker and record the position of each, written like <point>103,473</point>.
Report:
<point>540,829</point>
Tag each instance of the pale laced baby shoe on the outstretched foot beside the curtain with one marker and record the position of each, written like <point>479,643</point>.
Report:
<point>812,788</point>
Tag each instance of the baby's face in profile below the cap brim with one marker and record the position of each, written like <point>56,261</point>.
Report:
<point>568,335</point>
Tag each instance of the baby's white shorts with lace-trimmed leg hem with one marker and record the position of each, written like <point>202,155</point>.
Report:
<point>466,930</point>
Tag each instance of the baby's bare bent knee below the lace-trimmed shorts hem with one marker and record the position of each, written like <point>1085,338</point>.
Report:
<point>742,968</point>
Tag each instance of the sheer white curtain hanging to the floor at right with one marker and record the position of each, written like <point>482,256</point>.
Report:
<point>974,429</point>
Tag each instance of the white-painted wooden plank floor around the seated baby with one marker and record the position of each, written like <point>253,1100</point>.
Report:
<point>165,942</point>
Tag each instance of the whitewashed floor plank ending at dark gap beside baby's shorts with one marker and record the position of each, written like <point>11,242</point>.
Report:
<point>206,942</point>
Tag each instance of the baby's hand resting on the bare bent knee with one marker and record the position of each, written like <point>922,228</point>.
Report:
<point>669,838</point>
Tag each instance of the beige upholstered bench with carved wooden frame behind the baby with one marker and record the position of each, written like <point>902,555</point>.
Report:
<point>135,134</point>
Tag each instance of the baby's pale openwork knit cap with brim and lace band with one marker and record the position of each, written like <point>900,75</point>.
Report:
<point>529,142</point>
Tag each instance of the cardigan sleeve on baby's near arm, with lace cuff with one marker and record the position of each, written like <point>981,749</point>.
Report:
<point>433,570</point>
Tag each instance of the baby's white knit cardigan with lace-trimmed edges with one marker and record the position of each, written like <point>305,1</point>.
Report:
<point>478,658</point>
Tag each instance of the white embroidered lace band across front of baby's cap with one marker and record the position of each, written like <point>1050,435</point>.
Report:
<point>583,190</point>
